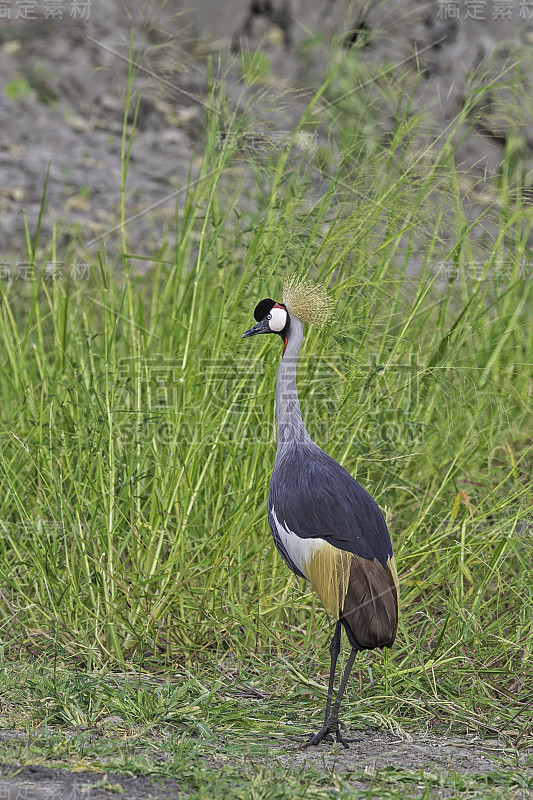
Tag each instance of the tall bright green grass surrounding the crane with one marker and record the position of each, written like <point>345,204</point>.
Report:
<point>138,438</point>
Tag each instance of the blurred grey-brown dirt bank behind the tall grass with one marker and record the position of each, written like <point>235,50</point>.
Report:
<point>63,85</point>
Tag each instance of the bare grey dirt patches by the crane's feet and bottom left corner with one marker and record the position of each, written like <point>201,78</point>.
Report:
<point>374,750</point>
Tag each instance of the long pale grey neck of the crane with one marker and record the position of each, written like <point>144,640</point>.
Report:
<point>291,429</point>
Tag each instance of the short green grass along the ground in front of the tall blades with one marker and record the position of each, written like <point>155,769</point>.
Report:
<point>211,730</point>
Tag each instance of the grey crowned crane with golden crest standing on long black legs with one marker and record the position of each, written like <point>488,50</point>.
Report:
<point>326,527</point>
